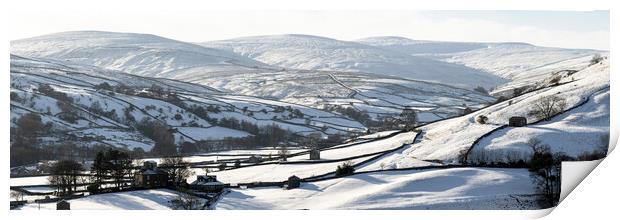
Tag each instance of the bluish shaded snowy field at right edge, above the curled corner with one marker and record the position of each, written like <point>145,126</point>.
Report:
<point>574,133</point>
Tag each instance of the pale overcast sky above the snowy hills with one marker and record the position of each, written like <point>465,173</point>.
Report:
<point>589,29</point>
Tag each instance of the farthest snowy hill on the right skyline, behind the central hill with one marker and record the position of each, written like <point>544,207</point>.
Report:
<point>521,63</point>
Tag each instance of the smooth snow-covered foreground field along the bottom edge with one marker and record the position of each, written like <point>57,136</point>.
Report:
<point>457,188</point>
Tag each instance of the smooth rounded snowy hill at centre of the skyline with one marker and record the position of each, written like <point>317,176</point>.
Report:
<point>320,53</point>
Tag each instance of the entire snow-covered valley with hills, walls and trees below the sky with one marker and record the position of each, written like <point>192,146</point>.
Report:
<point>299,121</point>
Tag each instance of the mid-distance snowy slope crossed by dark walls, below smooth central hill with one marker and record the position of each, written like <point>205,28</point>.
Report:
<point>380,96</point>
